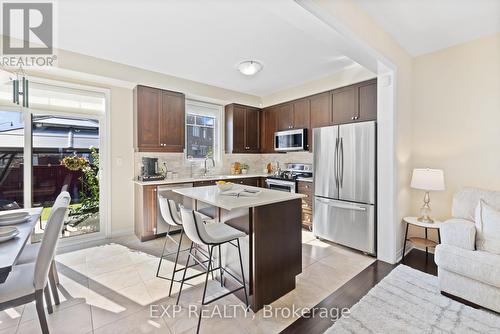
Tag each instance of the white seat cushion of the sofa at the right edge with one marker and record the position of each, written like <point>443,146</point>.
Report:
<point>478,265</point>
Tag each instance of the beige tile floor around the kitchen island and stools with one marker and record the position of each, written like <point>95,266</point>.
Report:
<point>112,288</point>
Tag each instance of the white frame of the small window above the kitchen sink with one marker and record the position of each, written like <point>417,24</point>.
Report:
<point>212,110</point>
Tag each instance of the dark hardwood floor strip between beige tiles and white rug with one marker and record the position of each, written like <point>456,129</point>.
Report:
<point>351,292</point>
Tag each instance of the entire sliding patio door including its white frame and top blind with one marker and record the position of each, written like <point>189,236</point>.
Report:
<point>55,145</point>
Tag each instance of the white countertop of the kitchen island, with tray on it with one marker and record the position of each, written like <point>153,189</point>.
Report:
<point>211,195</point>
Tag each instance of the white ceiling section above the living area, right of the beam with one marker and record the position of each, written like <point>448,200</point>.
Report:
<point>422,26</point>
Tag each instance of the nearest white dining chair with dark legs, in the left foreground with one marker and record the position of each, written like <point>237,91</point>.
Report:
<point>28,282</point>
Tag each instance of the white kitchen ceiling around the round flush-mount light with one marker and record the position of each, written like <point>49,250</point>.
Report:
<point>205,40</point>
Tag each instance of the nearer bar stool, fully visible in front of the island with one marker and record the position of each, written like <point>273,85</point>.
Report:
<point>211,235</point>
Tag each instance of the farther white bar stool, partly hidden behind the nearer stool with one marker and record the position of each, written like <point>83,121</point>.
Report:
<point>170,214</point>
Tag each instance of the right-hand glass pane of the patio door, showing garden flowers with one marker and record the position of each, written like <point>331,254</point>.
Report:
<point>65,157</point>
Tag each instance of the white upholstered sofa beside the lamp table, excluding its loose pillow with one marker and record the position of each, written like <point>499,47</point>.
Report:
<point>463,271</point>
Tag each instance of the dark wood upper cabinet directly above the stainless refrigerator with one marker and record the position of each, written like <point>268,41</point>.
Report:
<point>355,103</point>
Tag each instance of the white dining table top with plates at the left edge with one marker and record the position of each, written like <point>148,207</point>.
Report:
<point>11,249</point>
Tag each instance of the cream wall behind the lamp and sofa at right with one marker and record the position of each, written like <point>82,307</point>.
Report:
<point>456,120</point>
